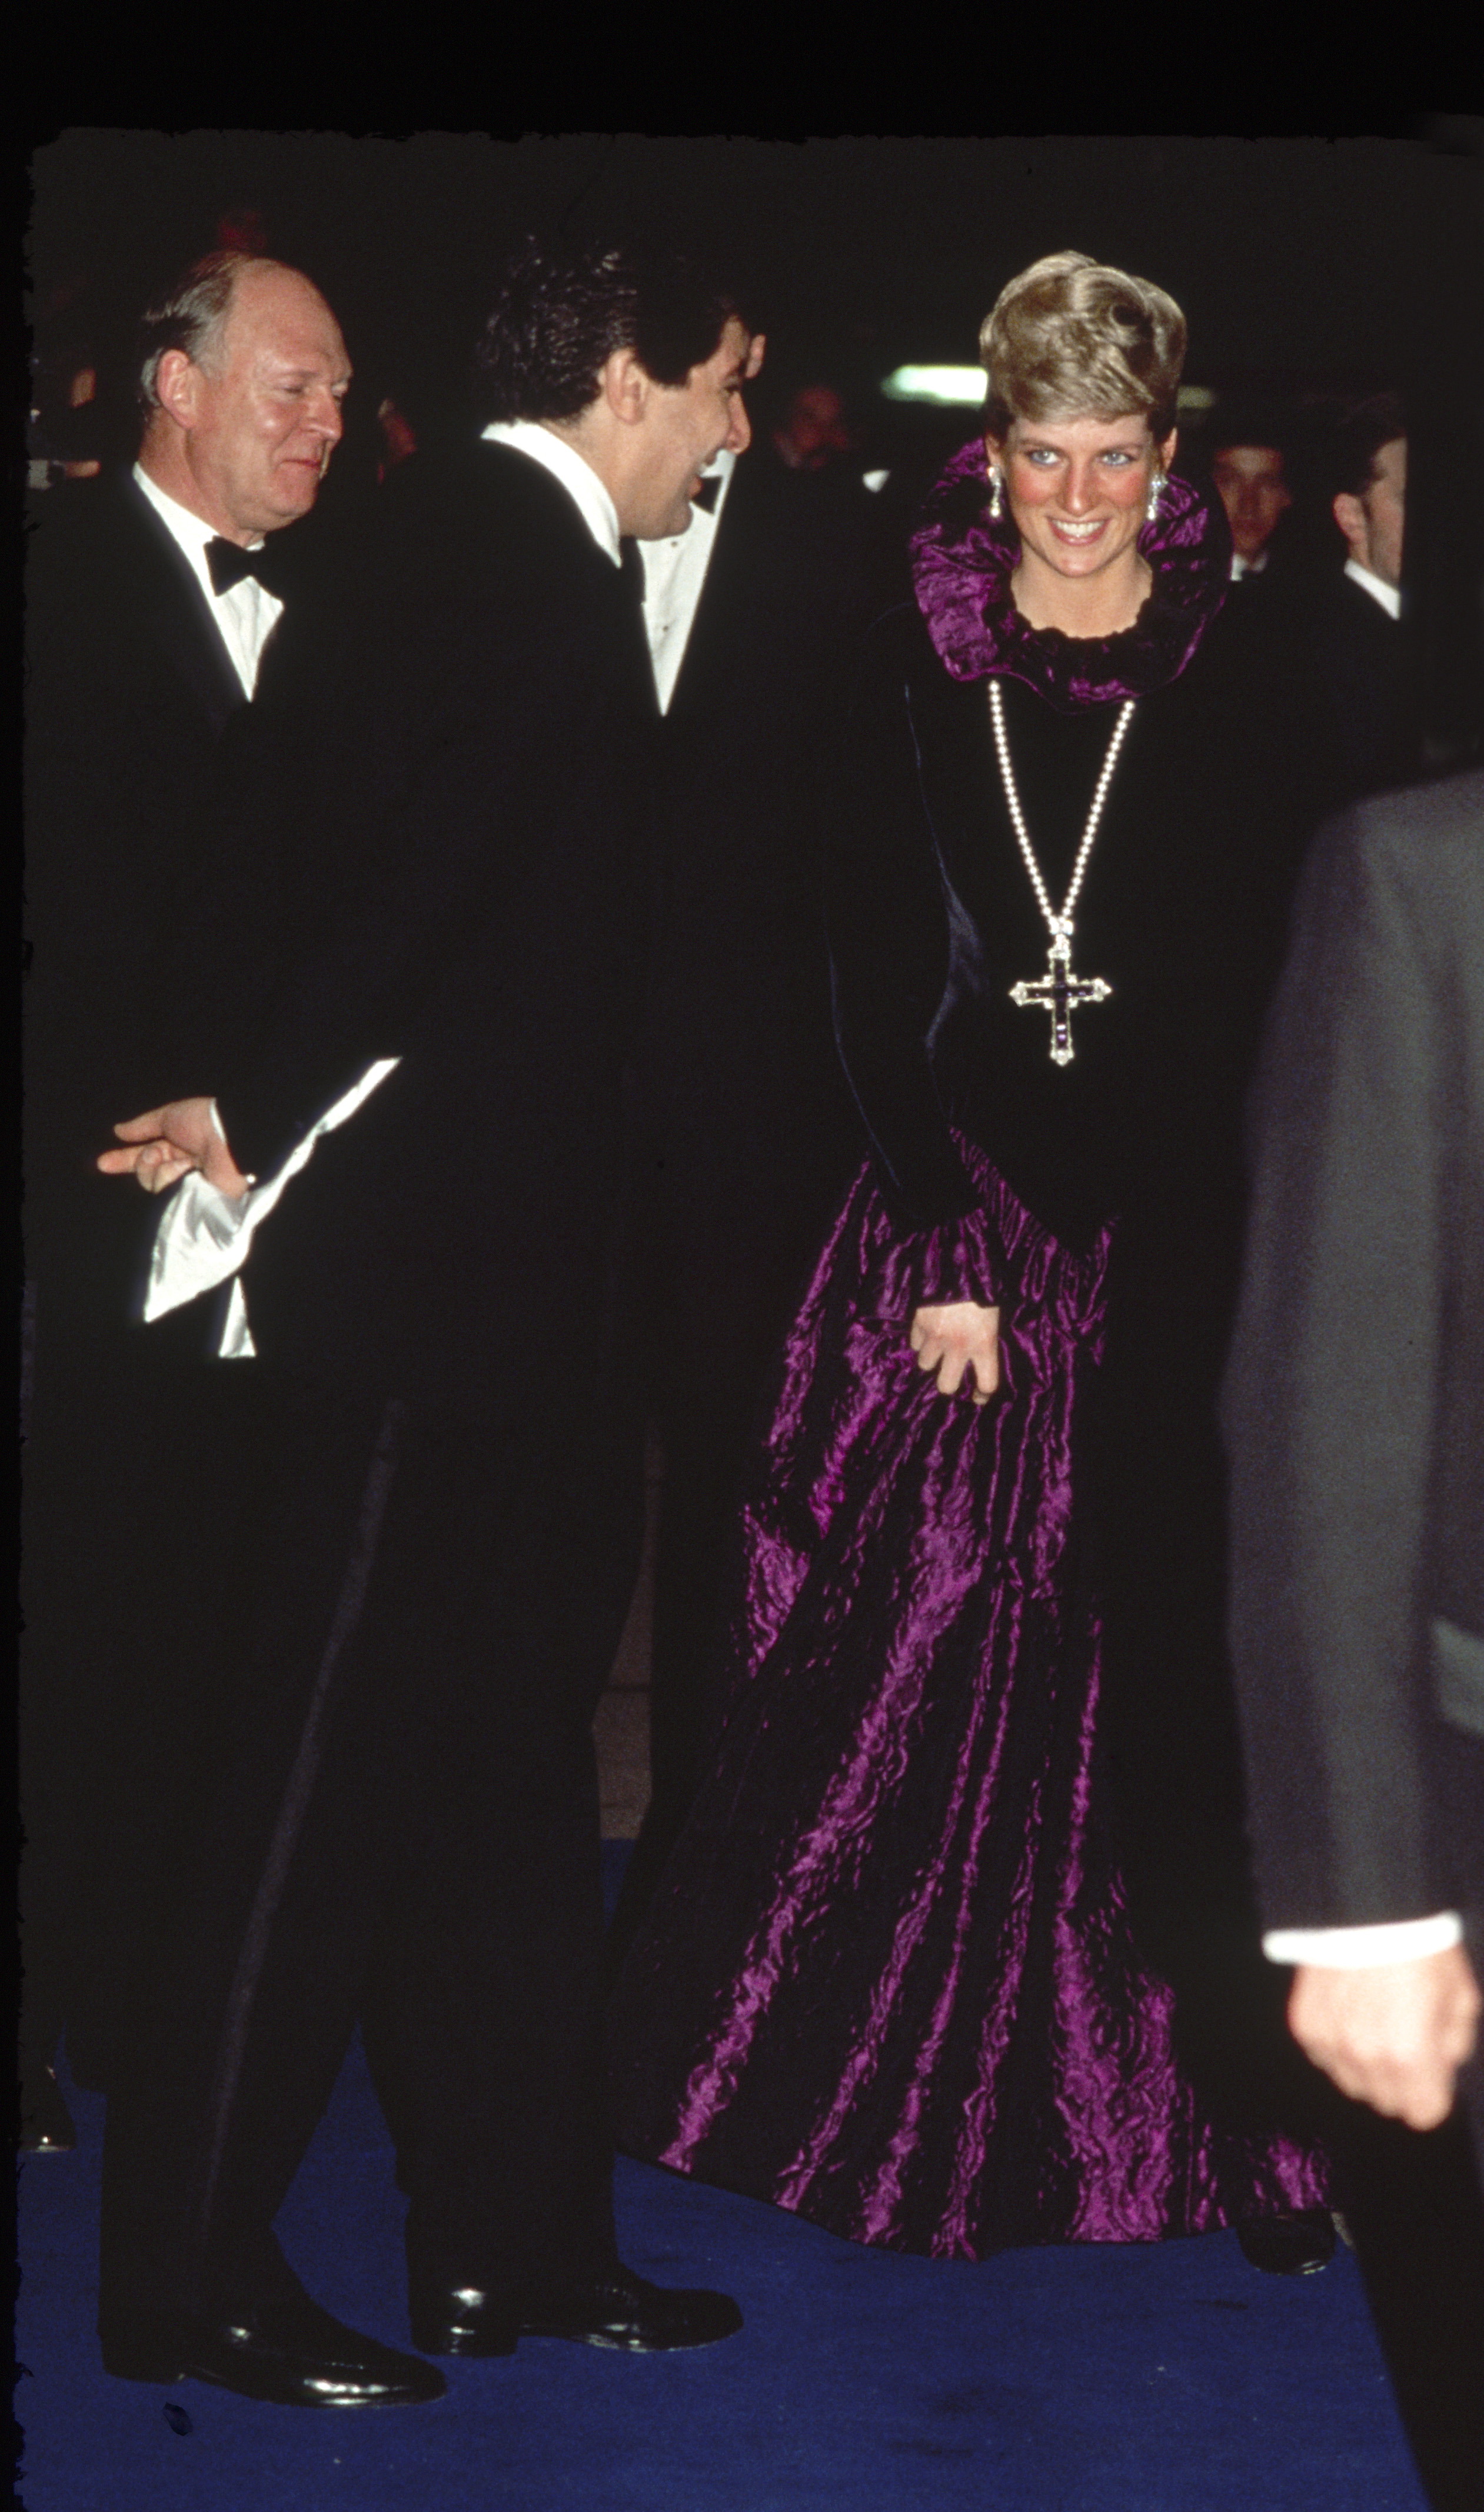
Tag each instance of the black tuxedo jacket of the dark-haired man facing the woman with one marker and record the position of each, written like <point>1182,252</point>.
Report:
<point>443,858</point>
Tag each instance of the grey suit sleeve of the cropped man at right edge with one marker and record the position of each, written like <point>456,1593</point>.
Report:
<point>1357,1385</point>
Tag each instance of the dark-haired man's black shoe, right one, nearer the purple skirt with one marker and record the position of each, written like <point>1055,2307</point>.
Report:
<point>614,2310</point>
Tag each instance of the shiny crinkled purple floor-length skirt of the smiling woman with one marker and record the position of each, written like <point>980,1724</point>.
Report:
<point>890,1978</point>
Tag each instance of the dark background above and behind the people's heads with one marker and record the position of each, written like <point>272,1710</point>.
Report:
<point>1309,270</point>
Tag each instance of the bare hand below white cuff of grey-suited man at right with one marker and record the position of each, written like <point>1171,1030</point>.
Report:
<point>1392,2036</point>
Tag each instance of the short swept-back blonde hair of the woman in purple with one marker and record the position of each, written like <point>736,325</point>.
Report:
<point>1078,340</point>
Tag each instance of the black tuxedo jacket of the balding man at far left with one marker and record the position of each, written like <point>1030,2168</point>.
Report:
<point>132,712</point>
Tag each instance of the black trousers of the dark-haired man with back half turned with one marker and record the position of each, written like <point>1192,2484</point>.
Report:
<point>370,1682</point>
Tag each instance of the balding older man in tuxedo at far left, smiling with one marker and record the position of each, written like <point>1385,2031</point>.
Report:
<point>147,624</point>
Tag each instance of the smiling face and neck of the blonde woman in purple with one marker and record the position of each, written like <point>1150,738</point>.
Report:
<point>1078,494</point>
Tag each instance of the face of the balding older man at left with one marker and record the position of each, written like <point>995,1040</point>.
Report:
<point>265,411</point>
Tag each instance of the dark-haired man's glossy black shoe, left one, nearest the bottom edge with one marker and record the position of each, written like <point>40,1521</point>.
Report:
<point>285,2352</point>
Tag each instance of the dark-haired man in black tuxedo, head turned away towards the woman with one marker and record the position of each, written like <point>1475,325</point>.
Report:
<point>436,1458</point>
